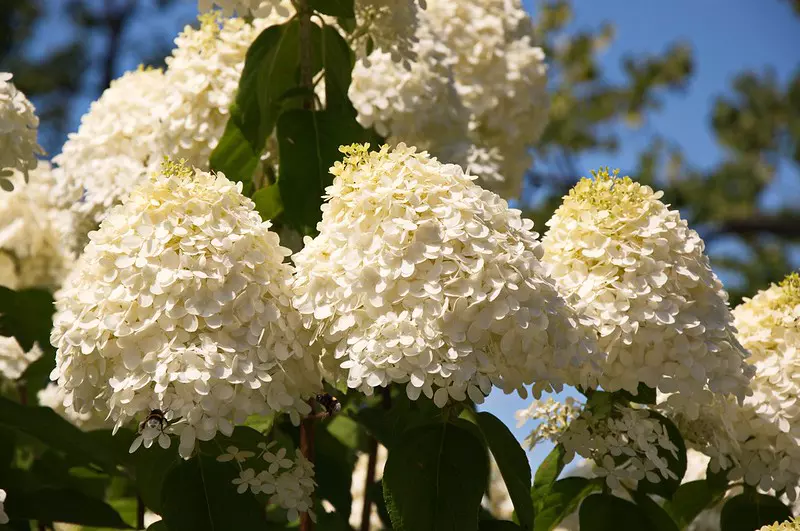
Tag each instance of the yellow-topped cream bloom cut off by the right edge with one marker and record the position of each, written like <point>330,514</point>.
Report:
<point>768,426</point>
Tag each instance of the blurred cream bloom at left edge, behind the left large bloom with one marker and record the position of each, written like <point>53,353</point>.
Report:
<point>32,233</point>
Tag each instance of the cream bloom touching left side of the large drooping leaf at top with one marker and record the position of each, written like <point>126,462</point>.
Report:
<point>203,75</point>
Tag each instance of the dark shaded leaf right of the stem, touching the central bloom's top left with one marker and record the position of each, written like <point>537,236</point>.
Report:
<point>308,143</point>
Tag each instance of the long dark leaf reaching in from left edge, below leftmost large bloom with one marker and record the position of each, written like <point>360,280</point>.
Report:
<point>52,430</point>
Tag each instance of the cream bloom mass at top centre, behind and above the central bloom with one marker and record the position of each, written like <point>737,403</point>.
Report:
<point>474,95</point>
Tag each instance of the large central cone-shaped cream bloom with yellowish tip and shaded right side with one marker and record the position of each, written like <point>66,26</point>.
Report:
<point>420,276</point>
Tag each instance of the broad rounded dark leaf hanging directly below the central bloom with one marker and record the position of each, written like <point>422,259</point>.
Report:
<point>434,479</point>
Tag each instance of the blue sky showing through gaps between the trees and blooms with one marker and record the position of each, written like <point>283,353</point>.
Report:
<point>727,37</point>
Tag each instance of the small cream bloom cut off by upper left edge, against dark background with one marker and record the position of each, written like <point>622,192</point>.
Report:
<point>18,129</point>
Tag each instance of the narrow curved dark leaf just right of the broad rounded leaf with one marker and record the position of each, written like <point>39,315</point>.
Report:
<point>513,465</point>
